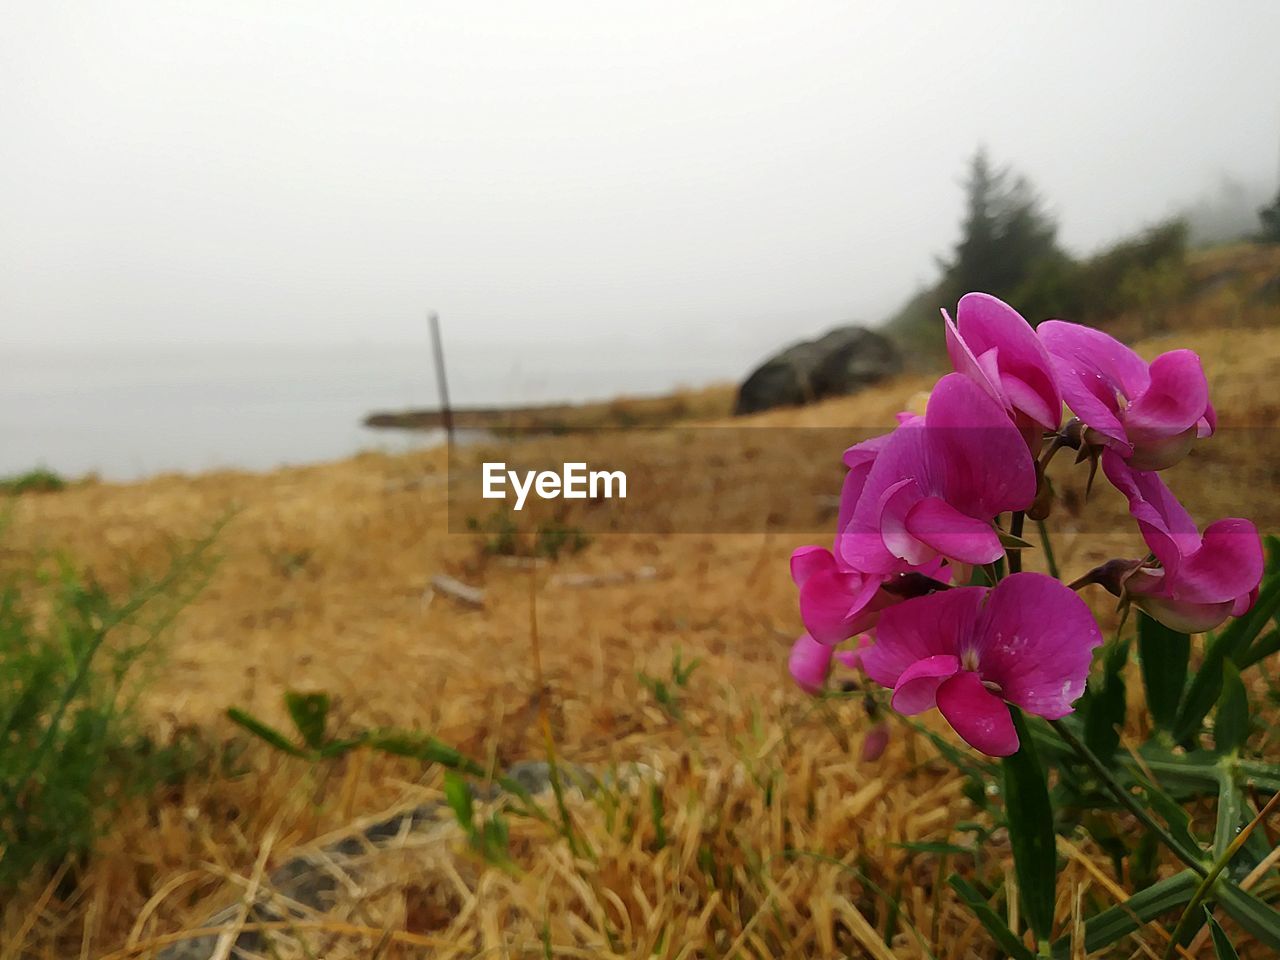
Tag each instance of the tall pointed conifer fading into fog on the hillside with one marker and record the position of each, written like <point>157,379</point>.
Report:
<point>1007,236</point>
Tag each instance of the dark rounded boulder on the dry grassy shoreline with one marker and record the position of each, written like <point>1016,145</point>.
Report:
<point>842,362</point>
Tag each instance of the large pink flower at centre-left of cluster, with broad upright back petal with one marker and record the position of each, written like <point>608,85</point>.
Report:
<point>935,486</point>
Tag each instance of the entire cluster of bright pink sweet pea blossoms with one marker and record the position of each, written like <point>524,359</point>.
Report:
<point>921,510</point>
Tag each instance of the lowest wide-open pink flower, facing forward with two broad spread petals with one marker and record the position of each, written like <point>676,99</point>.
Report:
<point>971,651</point>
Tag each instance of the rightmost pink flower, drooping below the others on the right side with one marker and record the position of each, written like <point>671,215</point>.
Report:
<point>1197,580</point>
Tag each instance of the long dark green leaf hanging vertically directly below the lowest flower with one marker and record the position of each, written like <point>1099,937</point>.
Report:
<point>1031,831</point>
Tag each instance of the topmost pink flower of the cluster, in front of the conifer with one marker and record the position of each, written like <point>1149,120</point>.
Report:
<point>991,344</point>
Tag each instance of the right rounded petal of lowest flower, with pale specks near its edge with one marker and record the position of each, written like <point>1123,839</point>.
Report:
<point>1036,642</point>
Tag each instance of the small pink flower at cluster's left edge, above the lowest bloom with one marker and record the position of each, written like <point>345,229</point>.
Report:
<point>838,602</point>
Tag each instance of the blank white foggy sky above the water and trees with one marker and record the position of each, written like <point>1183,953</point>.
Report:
<point>682,172</point>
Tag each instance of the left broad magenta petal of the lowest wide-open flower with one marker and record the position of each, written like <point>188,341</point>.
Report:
<point>922,628</point>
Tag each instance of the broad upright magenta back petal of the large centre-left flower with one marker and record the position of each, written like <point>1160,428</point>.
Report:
<point>967,433</point>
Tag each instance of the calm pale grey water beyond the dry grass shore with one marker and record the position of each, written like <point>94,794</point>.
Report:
<point>126,413</point>
